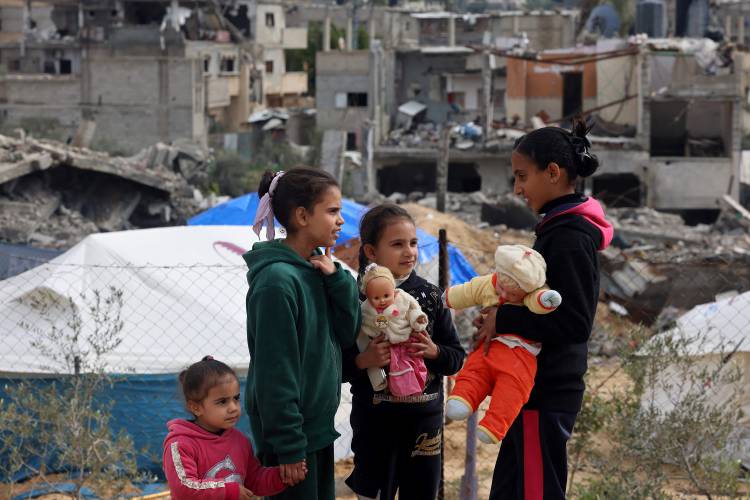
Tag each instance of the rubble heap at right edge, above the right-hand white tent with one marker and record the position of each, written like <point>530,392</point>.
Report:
<point>659,266</point>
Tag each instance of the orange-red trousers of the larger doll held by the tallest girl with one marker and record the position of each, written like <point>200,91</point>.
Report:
<point>506,374</point>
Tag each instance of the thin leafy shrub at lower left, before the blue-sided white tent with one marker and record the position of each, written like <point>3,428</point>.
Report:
<point>63,424</point>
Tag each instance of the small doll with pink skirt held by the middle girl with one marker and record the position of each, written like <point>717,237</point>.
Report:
<point>387,310</point>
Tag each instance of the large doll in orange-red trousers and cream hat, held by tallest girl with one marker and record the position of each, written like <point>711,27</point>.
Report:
<point>506,367</point>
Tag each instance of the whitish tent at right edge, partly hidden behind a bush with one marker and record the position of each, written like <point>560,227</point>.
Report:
<point>714,333</point>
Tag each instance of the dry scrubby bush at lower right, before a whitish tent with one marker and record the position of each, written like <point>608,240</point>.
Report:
<point>669,413</point>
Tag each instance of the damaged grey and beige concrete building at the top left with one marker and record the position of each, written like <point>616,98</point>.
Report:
<point>134,72</point>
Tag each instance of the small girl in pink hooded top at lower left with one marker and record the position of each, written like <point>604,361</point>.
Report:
<point>207,458</point>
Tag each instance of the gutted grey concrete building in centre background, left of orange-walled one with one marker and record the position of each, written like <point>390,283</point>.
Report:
<point>423,72</point>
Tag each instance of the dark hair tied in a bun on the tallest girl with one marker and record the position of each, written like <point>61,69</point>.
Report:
<point>570,150</point>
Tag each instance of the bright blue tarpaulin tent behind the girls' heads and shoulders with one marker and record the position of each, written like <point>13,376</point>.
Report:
<point>241,211</point>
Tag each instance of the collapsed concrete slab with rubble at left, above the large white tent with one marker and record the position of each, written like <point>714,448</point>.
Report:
<point>52,194</point>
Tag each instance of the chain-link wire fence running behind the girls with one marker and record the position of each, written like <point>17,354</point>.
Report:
<point>52,316</point>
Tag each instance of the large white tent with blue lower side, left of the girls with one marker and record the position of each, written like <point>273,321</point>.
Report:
<point>183,297</point>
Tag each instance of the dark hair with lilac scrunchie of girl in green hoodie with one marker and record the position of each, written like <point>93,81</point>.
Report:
<point>299,187</point>
